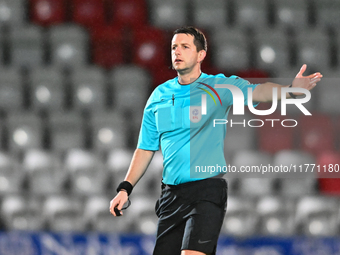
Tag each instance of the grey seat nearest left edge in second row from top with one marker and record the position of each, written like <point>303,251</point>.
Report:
<point>26,46</point>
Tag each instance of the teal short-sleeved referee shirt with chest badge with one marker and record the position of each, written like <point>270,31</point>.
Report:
<point>173,120</point>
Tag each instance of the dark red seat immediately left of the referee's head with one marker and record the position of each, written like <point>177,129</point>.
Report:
<point>149,48</point>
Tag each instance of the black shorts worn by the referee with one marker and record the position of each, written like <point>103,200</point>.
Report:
<point>190,216</point>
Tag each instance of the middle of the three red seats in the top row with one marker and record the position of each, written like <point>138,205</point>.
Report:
<point>89,13</point>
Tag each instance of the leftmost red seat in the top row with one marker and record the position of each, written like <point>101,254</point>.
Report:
<point>48,12</point>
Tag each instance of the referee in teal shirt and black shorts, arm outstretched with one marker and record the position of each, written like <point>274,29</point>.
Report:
<point>192,205</point>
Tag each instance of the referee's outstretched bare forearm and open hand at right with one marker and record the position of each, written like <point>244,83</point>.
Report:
<point>264,91</point>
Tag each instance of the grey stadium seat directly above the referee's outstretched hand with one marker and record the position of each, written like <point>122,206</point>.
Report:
<point>313,48</point>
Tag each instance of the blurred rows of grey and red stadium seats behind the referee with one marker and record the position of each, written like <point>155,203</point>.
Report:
<point>74,78</point>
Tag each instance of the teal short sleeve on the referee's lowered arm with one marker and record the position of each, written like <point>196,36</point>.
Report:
<point>148,134</point>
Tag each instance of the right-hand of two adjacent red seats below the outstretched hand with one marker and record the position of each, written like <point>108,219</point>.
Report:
<point>316,133</point>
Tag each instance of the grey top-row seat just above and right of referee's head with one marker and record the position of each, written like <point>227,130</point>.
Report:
<point>207,15</point>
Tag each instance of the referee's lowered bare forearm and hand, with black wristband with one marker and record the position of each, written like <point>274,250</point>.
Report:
<point>139,163</point>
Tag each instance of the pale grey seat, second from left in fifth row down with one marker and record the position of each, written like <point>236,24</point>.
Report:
<point>45,173</point>
